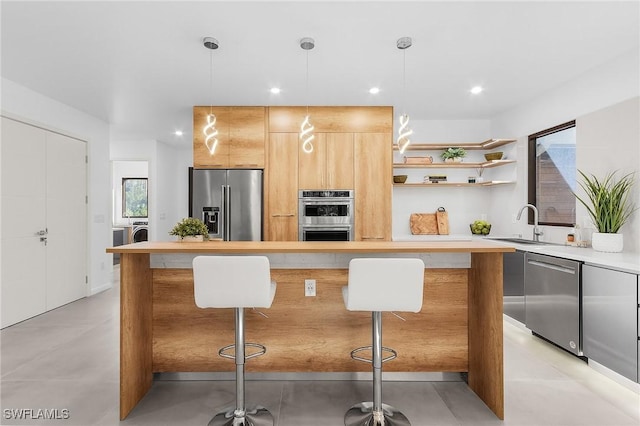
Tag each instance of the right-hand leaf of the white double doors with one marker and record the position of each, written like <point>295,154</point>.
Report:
<point>66,220</point>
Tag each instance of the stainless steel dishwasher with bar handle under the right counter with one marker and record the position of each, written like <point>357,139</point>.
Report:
<point>553,300</point>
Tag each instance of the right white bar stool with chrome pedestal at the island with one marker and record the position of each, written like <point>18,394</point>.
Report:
<point>377,285</point>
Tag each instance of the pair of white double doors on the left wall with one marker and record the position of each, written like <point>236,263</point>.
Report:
<point>44,221</point>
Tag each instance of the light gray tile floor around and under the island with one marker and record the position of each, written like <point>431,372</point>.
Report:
<point>67,359</point>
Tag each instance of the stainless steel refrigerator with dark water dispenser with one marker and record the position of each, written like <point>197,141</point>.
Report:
<point>229,202</point>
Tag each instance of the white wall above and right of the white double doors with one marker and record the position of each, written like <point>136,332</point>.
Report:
<point>32,107</point>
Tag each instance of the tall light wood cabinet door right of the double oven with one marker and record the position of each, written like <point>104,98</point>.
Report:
<point>373,162</point>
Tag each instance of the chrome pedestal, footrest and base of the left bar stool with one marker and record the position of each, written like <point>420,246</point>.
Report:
<point>240,415</point>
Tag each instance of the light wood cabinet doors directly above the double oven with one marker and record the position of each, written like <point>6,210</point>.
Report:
<point>330,165</point>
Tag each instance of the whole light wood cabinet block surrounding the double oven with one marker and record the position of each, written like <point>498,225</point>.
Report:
<point>352,150</point>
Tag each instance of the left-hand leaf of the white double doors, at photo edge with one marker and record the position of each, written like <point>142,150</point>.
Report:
<point>23,216</point>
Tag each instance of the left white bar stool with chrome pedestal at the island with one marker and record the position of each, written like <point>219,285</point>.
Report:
<point>236,282</point>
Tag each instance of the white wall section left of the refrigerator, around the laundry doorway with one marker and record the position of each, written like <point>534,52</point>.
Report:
<point>168,181</point>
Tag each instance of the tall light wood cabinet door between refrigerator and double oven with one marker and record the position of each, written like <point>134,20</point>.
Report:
<point>281,222</point>
